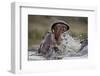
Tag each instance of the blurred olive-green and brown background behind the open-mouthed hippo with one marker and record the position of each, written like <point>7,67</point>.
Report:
<point>39,25</point>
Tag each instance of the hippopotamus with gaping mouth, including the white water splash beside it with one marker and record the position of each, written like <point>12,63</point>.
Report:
<point>57,43</point>
